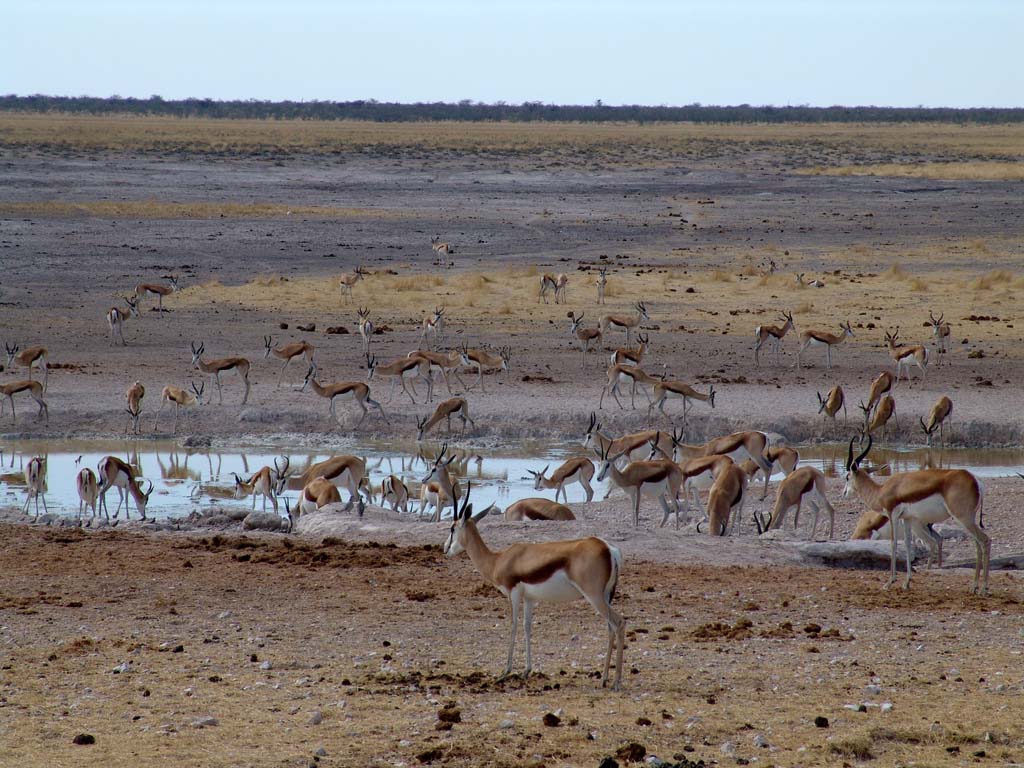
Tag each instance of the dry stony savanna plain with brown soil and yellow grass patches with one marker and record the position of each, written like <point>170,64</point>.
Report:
<point>203,648</point>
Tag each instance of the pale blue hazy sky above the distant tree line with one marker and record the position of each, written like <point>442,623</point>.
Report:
<point>903,54</point>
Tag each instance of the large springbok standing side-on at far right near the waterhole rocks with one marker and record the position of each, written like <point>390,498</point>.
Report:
<point>929,496</point>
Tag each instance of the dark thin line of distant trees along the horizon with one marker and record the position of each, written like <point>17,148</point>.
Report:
<point>529,112</point>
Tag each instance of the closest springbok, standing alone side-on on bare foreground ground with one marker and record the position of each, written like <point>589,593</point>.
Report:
<point>553,572</point>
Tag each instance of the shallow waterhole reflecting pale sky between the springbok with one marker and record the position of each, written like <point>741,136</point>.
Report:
<point>195,479</point>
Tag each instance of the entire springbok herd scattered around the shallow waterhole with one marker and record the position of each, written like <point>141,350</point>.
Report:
<point>650,463</point>
